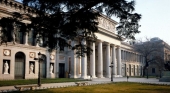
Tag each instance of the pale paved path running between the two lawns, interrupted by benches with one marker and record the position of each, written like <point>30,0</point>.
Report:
<point>94,81</point>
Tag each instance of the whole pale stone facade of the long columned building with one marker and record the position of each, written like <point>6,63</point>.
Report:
<point>58,64</point>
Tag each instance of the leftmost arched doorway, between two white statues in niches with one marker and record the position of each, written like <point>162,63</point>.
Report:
<point>19,65</point>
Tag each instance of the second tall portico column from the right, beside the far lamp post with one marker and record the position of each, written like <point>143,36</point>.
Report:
<point>114,60</point>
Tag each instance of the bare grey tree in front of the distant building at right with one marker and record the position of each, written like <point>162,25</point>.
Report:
<point>152,51</point>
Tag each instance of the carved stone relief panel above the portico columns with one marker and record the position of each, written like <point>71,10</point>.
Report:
<point>106,24</point>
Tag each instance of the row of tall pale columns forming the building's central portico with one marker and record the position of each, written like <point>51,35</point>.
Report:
<point>103,54</point>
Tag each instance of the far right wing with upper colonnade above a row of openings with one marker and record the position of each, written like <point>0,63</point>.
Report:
<point>133,63</point>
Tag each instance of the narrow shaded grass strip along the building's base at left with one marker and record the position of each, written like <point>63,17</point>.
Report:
<point>34,81</point>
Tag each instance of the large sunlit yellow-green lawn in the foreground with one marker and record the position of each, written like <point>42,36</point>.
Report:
<point>121,87</point>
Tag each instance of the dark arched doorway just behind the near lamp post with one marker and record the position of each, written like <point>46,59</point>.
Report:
<point>43,67</point>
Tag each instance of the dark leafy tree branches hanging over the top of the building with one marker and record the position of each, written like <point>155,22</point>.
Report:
<point>57,21</point>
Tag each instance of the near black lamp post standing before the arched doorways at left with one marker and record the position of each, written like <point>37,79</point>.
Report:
<point>39,60</point>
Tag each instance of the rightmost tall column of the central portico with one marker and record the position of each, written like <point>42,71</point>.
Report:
<point>119,65</point>
